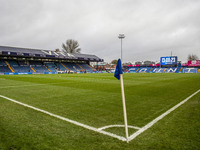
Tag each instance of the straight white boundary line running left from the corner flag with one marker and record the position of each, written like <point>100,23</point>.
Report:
<point>67,120</point>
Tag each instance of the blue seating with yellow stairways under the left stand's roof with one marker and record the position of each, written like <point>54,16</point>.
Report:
<point>41,67</point>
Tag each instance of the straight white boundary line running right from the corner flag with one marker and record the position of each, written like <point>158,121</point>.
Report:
<point>134,135</point>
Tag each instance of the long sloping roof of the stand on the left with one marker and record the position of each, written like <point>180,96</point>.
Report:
<point>27,52</point>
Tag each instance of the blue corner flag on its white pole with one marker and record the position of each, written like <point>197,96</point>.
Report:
<point>119,75</point>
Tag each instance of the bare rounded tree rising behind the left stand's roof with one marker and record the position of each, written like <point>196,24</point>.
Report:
<point>71,46</point>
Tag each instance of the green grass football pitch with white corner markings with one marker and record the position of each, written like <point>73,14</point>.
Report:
<point>84,111</point>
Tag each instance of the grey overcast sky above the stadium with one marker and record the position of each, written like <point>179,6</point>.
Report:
<point>153,28</point>
